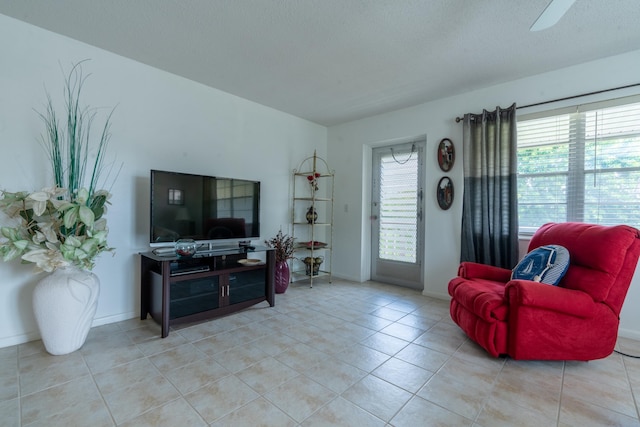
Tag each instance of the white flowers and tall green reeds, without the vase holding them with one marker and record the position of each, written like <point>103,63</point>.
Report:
<point>62,225</point>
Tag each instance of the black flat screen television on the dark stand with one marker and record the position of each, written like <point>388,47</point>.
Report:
<point>207,209</point>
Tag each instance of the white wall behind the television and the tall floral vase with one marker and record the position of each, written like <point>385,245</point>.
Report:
<point>161,122</point>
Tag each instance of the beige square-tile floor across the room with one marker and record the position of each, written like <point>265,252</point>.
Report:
<point>339,354</point>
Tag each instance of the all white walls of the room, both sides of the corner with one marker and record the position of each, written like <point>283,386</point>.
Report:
<point>166,122</point>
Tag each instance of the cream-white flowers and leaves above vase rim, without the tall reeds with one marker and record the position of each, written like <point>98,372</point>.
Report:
<point>54,228</point>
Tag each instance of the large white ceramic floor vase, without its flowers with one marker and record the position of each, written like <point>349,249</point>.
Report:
<point>64,304</point>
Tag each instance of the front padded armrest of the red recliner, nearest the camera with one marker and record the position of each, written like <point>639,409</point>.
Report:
<point>548,297</point>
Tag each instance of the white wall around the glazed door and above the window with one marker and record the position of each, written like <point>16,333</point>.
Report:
<point>349,153</point>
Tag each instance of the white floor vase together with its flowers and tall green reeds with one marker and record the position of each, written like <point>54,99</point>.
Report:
<point>62,229</point>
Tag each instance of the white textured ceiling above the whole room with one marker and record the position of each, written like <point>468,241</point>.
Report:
<point>332,61</point>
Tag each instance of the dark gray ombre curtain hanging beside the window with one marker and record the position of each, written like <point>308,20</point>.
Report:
<point>490,206</point>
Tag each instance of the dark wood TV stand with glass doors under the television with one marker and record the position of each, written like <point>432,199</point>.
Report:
<point>179,290</point>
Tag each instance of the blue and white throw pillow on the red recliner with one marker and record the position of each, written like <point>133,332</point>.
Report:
<point>546,264</point>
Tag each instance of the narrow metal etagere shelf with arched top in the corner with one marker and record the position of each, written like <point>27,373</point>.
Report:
<point>312,191</point>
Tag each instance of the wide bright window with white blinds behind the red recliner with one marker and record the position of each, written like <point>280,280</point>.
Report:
<point>580,165</point>
